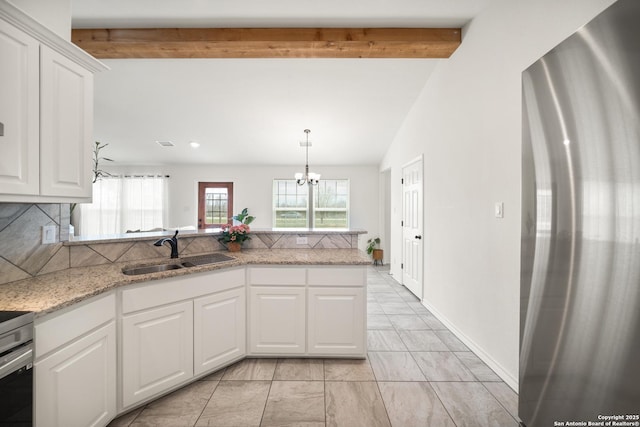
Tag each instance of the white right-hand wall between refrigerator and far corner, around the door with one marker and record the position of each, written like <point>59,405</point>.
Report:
<point>467,123</point>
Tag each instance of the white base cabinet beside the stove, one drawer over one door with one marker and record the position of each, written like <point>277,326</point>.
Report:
<point>75,367</point>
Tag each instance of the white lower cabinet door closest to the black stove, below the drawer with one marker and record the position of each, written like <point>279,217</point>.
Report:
<point>76,385</point>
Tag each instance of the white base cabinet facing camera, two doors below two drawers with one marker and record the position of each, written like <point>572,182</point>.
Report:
<point>312,311</point>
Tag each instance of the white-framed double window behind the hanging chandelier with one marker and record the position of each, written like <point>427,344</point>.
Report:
<point>330,208</point>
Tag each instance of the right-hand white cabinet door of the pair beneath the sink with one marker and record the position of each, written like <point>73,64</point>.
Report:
<point>219,329</point>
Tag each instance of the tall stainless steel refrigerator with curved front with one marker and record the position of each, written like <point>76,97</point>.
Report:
<point>580,252</point>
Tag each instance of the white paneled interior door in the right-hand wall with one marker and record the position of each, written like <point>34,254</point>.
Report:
<point>412,227</point>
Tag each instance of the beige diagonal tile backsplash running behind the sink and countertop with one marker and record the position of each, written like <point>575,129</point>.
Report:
<point>22,254</point>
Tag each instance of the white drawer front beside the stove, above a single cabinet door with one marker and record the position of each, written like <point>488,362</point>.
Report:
<point>51,333</point>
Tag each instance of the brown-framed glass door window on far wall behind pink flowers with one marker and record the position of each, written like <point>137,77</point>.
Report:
<point>215,204</point>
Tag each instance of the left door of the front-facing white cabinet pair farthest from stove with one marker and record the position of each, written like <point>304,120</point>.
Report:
<point>277,320</point>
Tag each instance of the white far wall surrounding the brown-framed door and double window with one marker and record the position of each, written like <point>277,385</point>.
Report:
<point>252,187</point>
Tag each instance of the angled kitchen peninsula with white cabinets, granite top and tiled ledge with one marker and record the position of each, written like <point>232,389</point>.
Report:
<point>115,341</point>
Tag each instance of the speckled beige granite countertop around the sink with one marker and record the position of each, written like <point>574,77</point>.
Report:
<point>50,292</point>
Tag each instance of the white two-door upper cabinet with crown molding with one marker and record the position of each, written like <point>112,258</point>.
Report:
<point>46,113</point>
